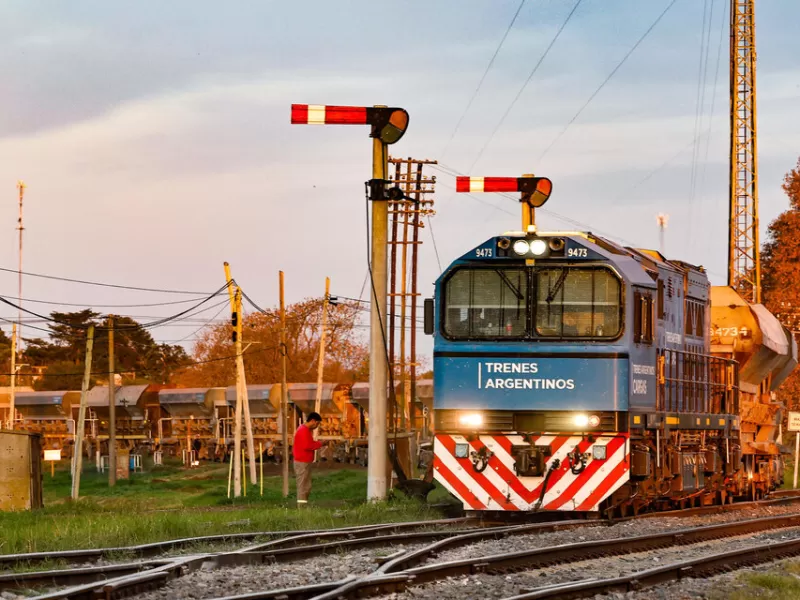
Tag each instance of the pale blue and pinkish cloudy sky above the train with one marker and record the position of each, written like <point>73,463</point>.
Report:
<point>155,141</point>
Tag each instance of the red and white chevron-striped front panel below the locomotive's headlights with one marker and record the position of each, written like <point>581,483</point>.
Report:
<point>499,488</point>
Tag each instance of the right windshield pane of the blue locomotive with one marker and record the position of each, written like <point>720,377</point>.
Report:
<point>577,303</point>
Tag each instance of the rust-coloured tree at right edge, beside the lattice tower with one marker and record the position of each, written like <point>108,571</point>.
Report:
<point>780,273</point>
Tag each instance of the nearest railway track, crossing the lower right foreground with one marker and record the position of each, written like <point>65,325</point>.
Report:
<point>393,576</point>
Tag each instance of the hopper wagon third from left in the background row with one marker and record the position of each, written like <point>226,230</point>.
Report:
<point>193,417</point>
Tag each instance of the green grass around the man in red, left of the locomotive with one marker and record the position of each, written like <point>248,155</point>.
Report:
<point>170,502</point>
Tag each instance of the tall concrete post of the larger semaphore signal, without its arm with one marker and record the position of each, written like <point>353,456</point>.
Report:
<point>378,367</point>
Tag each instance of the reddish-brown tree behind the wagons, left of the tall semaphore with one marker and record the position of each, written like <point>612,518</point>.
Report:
<point>346,357</point>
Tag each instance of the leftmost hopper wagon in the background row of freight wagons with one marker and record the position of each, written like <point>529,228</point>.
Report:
<point>49,414</point>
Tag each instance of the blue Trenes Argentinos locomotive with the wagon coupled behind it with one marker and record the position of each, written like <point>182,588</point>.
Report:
<point>573,374</point>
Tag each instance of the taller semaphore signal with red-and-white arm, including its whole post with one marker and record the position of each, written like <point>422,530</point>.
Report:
<point>387,127</point>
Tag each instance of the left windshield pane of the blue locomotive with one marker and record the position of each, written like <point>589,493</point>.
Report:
<point>486,303</point>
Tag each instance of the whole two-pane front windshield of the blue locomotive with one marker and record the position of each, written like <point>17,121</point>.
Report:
<point>562,302</point>
